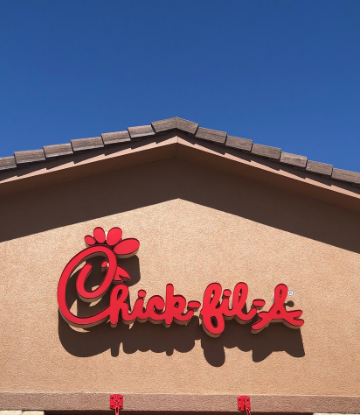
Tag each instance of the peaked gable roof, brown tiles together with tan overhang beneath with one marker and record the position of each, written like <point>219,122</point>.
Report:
<point>27,171</point>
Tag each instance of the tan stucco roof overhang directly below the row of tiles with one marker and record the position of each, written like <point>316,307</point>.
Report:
<point>178,144</point>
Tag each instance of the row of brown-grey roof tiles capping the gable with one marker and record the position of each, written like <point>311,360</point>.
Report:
<point>24,158</point>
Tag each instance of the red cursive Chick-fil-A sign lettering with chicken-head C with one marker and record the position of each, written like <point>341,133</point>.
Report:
<point>217,305</point>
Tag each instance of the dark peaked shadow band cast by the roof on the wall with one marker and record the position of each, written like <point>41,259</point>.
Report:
<point>152,183</point>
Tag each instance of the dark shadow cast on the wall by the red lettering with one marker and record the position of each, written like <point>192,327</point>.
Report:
<point>159,339</point>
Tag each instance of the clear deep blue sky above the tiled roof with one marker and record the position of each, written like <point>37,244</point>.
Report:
<point>281,72</point>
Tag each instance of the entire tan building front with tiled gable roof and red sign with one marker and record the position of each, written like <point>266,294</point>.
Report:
<point>209,211</point>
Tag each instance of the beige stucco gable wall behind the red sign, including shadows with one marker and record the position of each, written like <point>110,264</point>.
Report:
<point>196,226</point>
